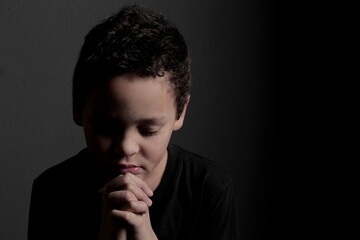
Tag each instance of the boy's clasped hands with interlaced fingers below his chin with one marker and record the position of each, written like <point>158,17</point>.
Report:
<point>125,209</point>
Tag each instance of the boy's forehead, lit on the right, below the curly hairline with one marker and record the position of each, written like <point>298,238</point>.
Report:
<point>134,97</point>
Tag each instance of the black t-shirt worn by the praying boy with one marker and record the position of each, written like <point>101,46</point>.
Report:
<point>194,200</point>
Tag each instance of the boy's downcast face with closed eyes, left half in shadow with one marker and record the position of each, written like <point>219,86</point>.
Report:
<point>128,124</point>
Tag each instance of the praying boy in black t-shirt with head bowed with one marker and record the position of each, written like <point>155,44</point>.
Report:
<point>130,92</point>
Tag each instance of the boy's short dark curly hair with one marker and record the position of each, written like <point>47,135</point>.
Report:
<point>133,41</point>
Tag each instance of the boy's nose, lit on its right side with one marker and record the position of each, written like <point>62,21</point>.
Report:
<point>126,144</point>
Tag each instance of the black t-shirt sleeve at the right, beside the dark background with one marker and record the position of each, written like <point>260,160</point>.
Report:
<point>219,214</point>
